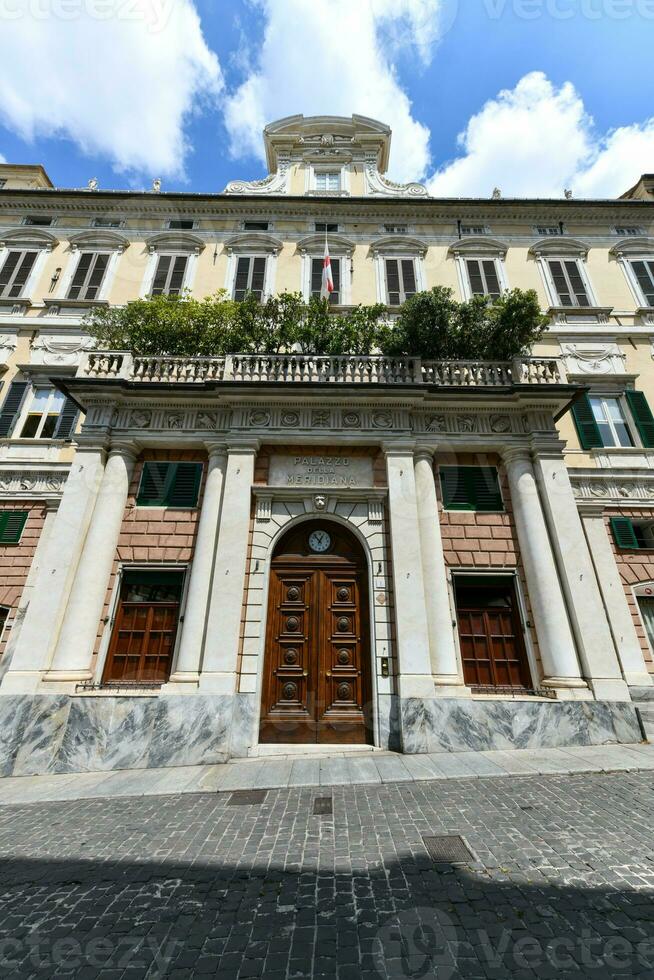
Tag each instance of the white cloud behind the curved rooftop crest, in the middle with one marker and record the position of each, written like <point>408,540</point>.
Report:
<point>336,59</point>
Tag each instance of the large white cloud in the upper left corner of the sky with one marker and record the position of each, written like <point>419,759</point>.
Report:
<point>119,77</point>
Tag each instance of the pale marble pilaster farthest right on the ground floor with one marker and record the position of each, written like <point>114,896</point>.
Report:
<point>615,601</point>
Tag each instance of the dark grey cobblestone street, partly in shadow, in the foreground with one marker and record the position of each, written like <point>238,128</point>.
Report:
<point>560,883</point>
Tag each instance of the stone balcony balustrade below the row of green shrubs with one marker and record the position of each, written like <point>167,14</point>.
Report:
<point>318,369</point>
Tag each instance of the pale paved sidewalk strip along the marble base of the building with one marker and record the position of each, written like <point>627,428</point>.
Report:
<point>338,769</point>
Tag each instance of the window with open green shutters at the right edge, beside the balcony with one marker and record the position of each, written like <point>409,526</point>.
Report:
<point>601,421</point>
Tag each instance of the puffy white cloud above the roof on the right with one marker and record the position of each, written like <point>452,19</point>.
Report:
<point>536,140</point>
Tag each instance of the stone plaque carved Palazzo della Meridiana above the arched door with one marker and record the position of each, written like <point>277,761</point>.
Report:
<point>334,472</point>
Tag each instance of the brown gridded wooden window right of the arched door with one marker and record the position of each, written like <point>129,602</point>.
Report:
<point>490,631</point>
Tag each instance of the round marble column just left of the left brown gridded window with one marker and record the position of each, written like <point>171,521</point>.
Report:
<point>74,649</point>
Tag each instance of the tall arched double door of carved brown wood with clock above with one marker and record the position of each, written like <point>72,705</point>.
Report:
<point>316,676</point>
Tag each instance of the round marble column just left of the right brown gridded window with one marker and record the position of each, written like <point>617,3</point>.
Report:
<point>446,670</point>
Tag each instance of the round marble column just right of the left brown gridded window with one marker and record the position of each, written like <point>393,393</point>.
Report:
<point>187,669</point>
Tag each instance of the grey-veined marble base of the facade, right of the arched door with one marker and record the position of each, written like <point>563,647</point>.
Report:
<point>466,725</point>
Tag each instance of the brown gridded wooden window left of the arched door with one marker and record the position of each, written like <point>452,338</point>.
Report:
<point>145,627</point>
